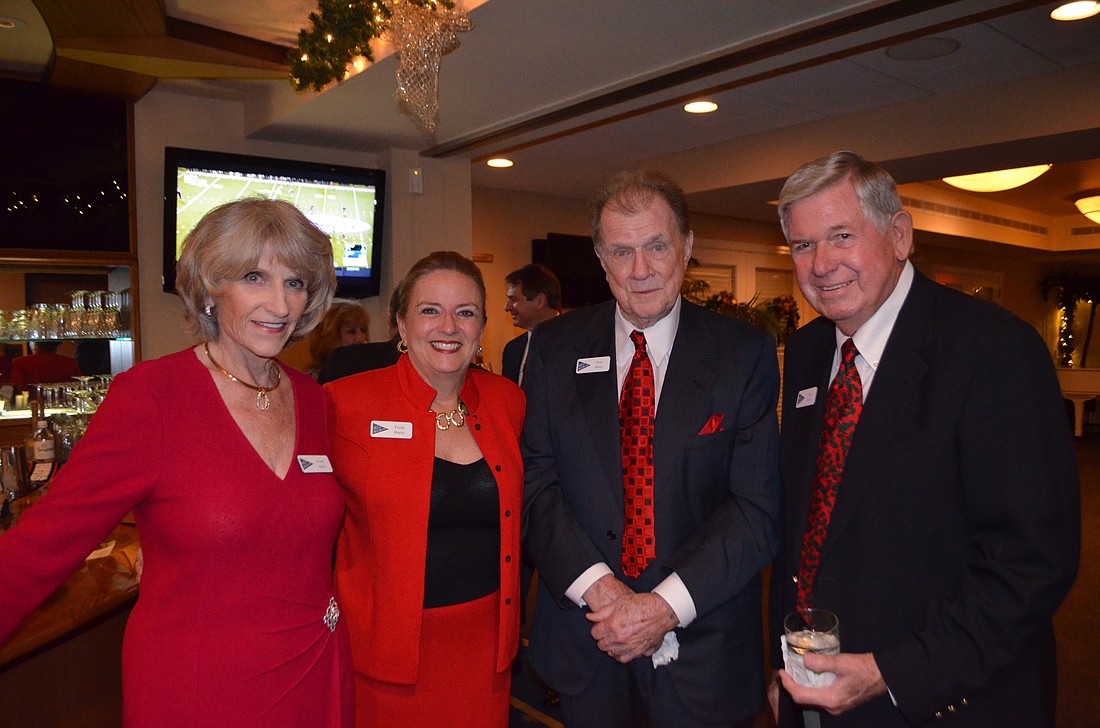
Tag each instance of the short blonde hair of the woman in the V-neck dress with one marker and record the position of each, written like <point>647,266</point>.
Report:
<point>229,241</point>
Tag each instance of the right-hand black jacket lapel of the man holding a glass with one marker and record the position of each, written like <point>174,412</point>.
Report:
<point>896,385</point>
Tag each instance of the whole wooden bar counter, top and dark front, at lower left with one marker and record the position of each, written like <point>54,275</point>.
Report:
<point>63,666</point>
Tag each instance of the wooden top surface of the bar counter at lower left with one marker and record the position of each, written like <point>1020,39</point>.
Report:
<point>95,589</point>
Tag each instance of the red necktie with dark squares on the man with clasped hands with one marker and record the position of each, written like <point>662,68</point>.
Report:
<point>636,429</point>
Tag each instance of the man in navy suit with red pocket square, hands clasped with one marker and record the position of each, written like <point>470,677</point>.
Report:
<point>651,528</point>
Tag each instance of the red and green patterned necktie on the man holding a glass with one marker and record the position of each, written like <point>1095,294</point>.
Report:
<point>843,406</point>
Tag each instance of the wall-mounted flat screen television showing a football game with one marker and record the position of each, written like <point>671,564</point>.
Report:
<point>347,203</point>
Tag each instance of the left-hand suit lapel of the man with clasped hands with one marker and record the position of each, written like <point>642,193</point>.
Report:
<point>597,391</point>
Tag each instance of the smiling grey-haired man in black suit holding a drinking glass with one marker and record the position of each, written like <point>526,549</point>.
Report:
<point>931,497</point>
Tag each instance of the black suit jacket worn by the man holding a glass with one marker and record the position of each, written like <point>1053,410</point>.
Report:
<point>956,530</point>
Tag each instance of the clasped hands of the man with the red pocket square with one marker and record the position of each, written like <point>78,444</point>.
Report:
<point>628,625</point>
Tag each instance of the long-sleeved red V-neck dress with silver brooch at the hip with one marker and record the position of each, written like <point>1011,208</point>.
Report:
<point>228,630</point>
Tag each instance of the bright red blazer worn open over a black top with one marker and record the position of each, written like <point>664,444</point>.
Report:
<point>388,484</point>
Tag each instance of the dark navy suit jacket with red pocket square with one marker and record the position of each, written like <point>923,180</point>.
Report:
<point>717,497</point>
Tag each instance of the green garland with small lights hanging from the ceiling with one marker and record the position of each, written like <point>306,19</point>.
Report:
<point>340,32</point>
